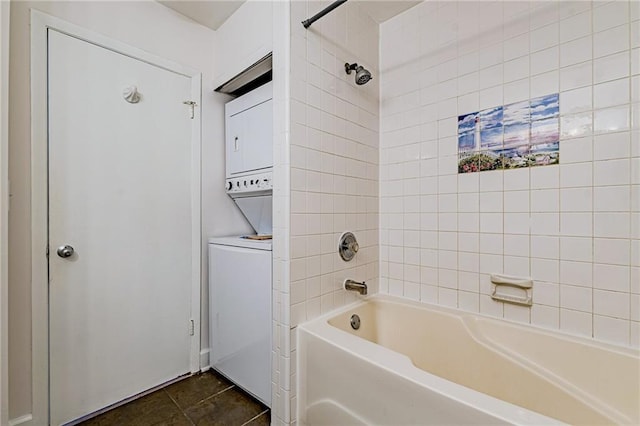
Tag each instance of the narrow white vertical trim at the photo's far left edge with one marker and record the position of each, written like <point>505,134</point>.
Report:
<point>4,211</point>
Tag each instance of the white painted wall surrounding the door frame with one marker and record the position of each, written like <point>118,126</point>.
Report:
<point>145,25</point>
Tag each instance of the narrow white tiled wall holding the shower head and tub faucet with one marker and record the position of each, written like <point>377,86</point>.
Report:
<point>334,169</point>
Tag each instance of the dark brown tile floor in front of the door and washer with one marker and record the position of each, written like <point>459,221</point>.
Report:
<point>202,399</point>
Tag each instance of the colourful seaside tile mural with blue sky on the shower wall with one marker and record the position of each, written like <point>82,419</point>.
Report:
<point>522,134</point>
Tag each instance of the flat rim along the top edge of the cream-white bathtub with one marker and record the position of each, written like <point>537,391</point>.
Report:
<point>403,366</point>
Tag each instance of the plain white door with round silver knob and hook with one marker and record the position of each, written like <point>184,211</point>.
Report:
<point>120,196</point>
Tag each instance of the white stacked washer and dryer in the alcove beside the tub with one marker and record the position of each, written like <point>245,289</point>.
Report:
<point>240,266</point>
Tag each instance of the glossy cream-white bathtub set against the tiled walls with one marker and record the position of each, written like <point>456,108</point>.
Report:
<point>416,364</point>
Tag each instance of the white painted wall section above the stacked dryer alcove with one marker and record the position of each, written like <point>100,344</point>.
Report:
<point>243,39</point>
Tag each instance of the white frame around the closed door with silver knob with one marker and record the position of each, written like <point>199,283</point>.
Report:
<point>40,25</point>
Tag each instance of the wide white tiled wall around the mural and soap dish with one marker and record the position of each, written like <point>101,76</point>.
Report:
<point>573,227</point>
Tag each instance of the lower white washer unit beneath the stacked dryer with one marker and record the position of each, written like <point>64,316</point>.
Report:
<point>240,312</point>
